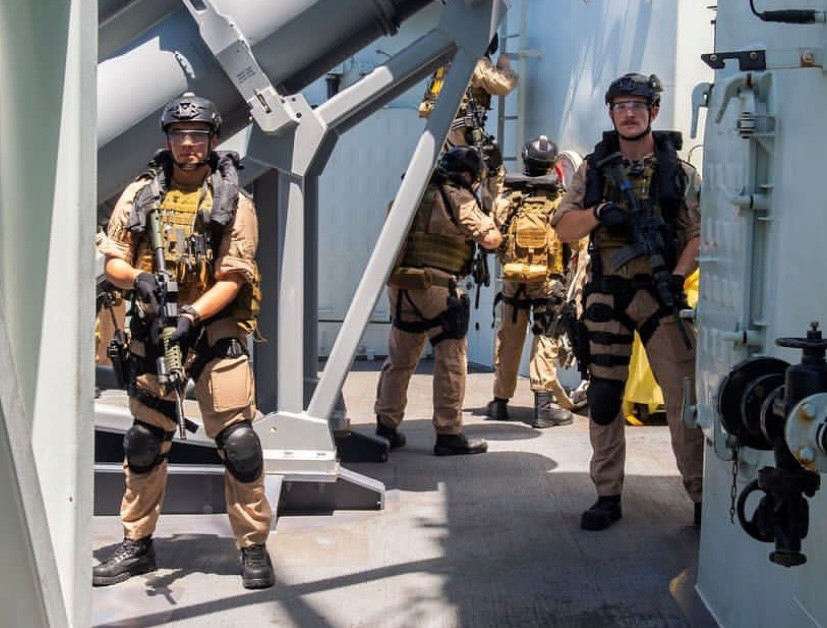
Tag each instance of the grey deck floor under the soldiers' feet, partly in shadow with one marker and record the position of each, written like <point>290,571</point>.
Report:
<point>489,540</point>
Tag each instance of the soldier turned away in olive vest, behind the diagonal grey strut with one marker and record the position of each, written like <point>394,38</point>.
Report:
<point>426,305</point>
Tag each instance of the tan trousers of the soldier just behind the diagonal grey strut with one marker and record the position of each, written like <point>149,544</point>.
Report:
<point>404,351</point>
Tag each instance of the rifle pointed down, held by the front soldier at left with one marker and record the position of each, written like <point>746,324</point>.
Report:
<point>170,365</point>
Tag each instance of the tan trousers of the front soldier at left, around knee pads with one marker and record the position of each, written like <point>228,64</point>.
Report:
<point>226,395</point>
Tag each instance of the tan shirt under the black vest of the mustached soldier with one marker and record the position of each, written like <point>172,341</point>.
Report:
<point>689,217</point>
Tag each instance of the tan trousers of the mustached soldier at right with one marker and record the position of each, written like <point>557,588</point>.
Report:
<point>671,361</point>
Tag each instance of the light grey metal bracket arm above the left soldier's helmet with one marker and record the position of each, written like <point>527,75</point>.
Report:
<point>269,109</point>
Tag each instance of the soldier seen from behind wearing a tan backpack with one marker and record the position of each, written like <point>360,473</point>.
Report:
<point>532,259</point>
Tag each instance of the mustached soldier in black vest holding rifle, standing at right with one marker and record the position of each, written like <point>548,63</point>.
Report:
<point>621,299</point>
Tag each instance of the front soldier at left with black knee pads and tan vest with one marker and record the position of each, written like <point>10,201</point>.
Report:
<point>210,236</point>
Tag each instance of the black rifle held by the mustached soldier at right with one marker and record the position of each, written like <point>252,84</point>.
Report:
<point>647,238</point>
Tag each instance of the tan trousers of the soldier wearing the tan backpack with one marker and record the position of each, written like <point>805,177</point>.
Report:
<point>509,347</point>
